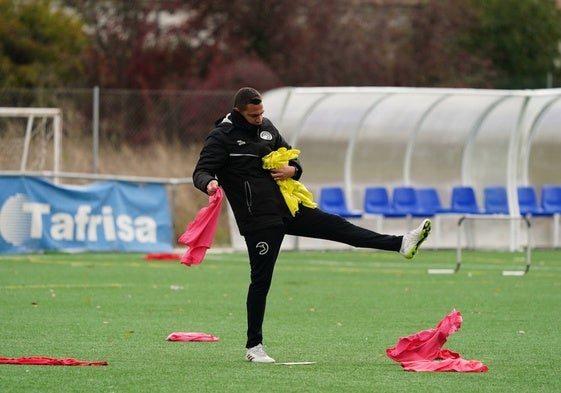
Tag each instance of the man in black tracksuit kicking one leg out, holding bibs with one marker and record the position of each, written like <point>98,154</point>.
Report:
<point>232,159</point>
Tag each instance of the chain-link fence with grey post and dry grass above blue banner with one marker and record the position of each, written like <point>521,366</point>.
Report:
<point>121,133</point>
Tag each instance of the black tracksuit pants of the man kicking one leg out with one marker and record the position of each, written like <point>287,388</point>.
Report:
<point>264,245</point>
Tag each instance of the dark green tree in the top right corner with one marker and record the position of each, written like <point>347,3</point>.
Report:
<point>520,37</point>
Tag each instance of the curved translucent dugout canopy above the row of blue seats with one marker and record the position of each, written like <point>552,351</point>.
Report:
<point>423,137</point>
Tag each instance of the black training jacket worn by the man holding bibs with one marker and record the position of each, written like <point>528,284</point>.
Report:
<point>232,154</point>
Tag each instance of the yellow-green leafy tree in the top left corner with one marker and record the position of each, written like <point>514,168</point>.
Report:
<point>40,45</point>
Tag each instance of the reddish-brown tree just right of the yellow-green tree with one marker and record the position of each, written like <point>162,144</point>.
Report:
<point>125,47</point>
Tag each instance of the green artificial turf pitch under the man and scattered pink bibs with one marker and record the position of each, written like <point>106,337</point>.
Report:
<point>338,309</point>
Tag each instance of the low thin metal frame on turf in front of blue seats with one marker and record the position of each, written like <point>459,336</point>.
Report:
<point>468,217</point>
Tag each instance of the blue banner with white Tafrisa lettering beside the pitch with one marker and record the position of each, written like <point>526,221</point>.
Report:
<point>37,215</point>
